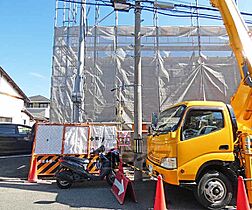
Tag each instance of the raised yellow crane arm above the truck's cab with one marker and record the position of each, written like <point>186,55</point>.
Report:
<point>241,44</point>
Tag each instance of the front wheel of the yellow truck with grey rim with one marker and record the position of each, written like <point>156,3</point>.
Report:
<point>214,190</point>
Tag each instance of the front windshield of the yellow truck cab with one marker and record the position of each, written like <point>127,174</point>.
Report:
<point>169,119</point>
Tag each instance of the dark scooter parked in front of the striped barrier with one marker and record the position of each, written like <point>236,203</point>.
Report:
<point>73,169</point>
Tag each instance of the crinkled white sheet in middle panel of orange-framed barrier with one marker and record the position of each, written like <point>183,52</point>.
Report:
<point>76,140</point>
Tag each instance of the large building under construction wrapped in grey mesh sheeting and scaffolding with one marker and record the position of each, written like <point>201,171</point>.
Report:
<point>178,63</point>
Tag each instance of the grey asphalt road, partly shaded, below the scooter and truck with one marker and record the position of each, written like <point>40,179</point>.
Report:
<point>17,193</point>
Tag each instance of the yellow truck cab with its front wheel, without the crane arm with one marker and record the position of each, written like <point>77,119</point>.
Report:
<point>192,139</point>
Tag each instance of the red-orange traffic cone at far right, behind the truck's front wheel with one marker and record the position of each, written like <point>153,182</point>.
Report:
<point>242,198</point>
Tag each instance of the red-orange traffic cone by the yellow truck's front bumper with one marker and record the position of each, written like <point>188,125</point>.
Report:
<point>160,197</point>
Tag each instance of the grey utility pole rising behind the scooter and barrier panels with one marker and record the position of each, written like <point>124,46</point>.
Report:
<point>77,94</point>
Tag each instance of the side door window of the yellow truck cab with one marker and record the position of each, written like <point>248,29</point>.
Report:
<point>201,122</point>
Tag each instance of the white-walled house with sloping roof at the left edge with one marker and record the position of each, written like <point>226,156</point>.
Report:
<point>12,101</point>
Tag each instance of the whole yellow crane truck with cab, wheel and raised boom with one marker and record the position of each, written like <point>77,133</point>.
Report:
<point>208,144</point>
